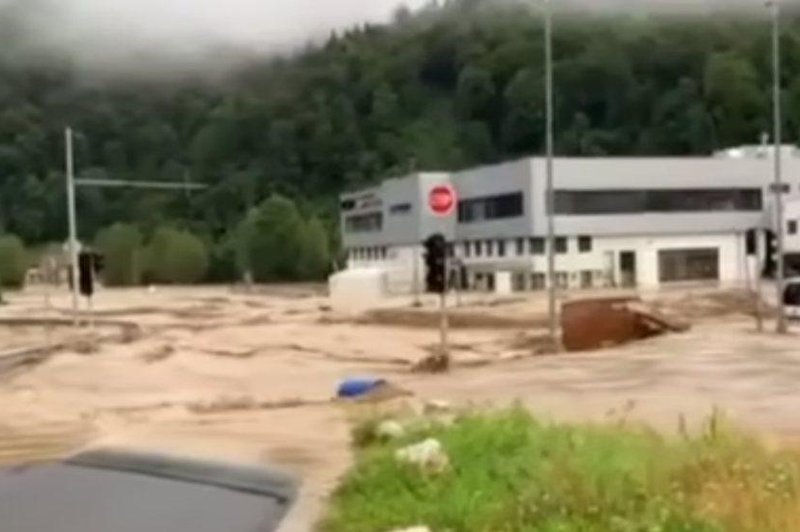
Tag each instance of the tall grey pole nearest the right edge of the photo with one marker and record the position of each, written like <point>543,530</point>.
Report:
<point>777,119</point>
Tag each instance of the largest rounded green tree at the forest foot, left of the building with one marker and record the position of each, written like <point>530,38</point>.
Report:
<point>272,241</point>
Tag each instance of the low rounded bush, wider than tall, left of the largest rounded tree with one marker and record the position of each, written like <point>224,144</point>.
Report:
<point>176,257</point>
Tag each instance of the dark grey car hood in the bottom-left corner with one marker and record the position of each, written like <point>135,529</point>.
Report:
<point>115,491</point>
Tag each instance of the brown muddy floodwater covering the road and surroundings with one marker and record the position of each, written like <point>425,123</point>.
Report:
<point>247,377</point>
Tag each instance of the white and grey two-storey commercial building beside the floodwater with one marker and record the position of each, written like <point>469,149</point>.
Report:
<point>618,221</point>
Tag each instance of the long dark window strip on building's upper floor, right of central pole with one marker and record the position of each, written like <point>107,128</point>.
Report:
<point>594,202</point>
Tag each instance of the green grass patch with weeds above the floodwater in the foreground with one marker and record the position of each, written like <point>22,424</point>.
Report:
<point>510,472</point>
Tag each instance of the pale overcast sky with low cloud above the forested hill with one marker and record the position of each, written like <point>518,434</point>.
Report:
<point>116,34</point>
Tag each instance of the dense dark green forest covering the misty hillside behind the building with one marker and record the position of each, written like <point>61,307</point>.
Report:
<point>443,88</point>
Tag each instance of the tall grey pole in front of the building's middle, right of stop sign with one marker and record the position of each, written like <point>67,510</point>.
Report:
<point>550,193</point>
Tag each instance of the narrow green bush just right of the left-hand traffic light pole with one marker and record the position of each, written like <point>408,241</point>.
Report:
<point>121,246</point>
